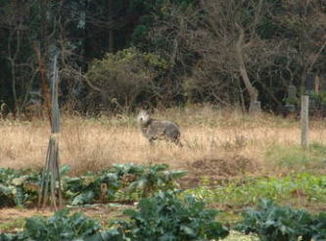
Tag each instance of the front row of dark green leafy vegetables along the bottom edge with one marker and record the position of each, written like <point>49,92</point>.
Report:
<point>169,217</point>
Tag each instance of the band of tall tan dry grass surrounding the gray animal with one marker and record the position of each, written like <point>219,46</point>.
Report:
<point>223,141</point>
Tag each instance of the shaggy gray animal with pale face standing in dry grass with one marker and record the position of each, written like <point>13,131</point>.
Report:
<point>158,129</point>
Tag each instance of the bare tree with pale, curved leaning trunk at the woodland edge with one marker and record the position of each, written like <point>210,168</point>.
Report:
<point>232,41</point>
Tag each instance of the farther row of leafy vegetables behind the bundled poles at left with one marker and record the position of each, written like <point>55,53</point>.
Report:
<point>123,182</point>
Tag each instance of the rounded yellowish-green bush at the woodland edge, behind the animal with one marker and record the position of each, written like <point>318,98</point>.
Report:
<point>121,77</point>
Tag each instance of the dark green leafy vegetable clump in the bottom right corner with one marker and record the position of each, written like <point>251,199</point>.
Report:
<point>275,223</point>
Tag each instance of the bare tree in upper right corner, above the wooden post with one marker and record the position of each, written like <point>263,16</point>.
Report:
<point>308,28</point>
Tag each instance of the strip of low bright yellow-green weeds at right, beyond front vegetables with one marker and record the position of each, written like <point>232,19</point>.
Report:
<point>303,187</point>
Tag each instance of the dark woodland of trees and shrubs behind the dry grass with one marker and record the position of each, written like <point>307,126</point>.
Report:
<point>117,55</point>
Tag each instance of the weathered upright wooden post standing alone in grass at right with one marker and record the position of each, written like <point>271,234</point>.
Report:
<point>304,121</point>
